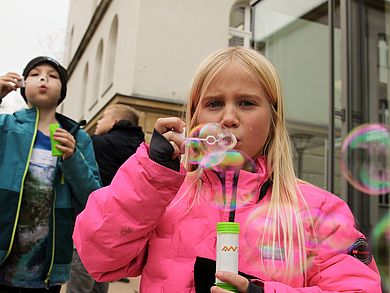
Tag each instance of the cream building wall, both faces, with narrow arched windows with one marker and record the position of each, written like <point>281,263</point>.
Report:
<point>160,44</point>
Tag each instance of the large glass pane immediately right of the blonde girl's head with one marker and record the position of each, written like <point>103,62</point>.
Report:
<point>294,36</point>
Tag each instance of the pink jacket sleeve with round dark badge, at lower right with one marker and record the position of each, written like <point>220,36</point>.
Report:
<point>335,266</point>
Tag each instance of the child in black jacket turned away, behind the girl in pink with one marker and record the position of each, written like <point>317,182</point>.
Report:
<point>117,137</point>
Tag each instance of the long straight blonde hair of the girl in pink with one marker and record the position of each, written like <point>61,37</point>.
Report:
<point>284,208</point>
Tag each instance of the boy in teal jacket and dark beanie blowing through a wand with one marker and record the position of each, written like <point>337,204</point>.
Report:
<point>40,193</point>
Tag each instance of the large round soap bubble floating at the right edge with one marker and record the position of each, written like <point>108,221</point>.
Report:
<point>365,158</point>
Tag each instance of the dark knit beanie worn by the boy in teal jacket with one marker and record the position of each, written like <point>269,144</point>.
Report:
<point>56,65</point>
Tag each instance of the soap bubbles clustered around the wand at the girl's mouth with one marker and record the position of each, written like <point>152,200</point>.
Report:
<point>211,146</point>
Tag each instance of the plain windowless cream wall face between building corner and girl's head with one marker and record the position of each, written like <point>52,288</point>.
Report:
<point>174,36</point>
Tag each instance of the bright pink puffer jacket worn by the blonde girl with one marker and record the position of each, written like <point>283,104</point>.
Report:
<point>140,225</point>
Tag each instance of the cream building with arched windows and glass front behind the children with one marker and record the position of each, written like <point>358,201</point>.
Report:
<point>332,57</point>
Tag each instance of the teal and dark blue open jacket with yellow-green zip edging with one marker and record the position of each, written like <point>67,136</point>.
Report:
<point>74,180</point>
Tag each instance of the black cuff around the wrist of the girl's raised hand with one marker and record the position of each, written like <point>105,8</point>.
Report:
<point>161,152</point>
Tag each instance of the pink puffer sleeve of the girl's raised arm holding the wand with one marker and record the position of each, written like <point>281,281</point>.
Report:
<point>111,234</point>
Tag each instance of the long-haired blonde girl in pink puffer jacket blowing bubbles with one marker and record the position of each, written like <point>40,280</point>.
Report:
<point>156,218</point>
